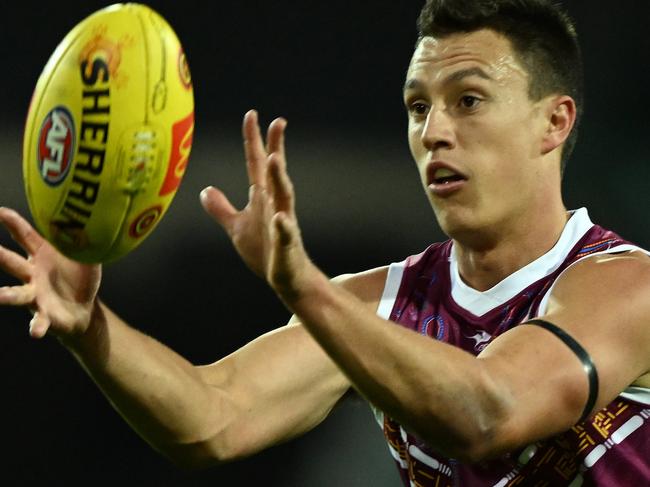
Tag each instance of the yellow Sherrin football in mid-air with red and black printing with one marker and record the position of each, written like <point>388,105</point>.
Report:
<point>108,133</point>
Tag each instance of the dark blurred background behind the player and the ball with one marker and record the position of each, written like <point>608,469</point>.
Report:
<point>335,70</point>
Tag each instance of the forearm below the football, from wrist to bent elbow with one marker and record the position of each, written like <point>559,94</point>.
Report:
<point>159,393</point>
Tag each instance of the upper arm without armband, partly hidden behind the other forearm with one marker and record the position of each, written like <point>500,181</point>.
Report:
<point>281,384</point>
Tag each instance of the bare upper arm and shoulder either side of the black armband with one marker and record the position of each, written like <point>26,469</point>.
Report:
<point>604,304</point>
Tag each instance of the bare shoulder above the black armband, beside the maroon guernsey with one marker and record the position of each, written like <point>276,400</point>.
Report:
<point>603,301</point>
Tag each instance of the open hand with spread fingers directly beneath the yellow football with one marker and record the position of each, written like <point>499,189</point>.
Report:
<point>60,292</point>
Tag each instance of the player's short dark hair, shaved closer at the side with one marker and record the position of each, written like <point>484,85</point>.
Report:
<point>542,35</point>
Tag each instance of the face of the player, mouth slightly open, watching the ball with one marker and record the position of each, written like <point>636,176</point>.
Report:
<point>473,131</point>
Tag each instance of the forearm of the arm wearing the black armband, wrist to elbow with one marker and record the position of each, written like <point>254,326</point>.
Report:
<point>439,392</point>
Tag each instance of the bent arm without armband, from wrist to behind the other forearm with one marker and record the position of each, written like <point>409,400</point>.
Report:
<point>272,389</point>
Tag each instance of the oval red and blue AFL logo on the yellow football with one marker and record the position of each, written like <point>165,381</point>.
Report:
<point>56,144</point>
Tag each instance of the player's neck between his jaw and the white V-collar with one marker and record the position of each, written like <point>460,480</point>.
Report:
<point>498,256</point>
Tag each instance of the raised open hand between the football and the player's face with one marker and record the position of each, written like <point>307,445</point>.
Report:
<point>265,232</point>
